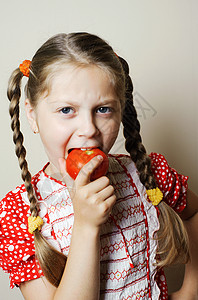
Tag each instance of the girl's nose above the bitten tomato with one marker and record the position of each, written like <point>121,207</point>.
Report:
<point>87,127</point>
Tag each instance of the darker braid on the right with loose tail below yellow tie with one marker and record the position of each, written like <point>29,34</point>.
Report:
<point>172,239</point>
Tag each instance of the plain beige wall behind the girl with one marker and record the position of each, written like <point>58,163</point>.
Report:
<point>159,40</point>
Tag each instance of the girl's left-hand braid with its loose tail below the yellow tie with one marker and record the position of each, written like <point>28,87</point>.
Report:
<point>51,261</point>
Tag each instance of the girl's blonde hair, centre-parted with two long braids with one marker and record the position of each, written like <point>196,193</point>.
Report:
<point>83,49</point>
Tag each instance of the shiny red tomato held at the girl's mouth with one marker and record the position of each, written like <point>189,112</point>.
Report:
<point>77,158</point>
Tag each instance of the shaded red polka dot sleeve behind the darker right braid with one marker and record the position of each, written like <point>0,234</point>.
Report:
<point>173,185</point>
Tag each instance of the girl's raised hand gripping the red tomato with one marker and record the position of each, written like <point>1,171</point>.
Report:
<point>92,201</point>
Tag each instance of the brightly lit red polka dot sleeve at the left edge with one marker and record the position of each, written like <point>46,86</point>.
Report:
<point>17,252</point>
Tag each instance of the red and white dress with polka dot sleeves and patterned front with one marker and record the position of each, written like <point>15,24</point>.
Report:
<point>128,247</point>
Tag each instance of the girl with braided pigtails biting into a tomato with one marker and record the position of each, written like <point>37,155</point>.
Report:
<point>102,239</point>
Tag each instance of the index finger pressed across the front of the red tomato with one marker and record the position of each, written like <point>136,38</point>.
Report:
<point>83,177</point>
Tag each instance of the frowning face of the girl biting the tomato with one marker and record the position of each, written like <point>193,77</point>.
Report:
<point>81,110</point>
